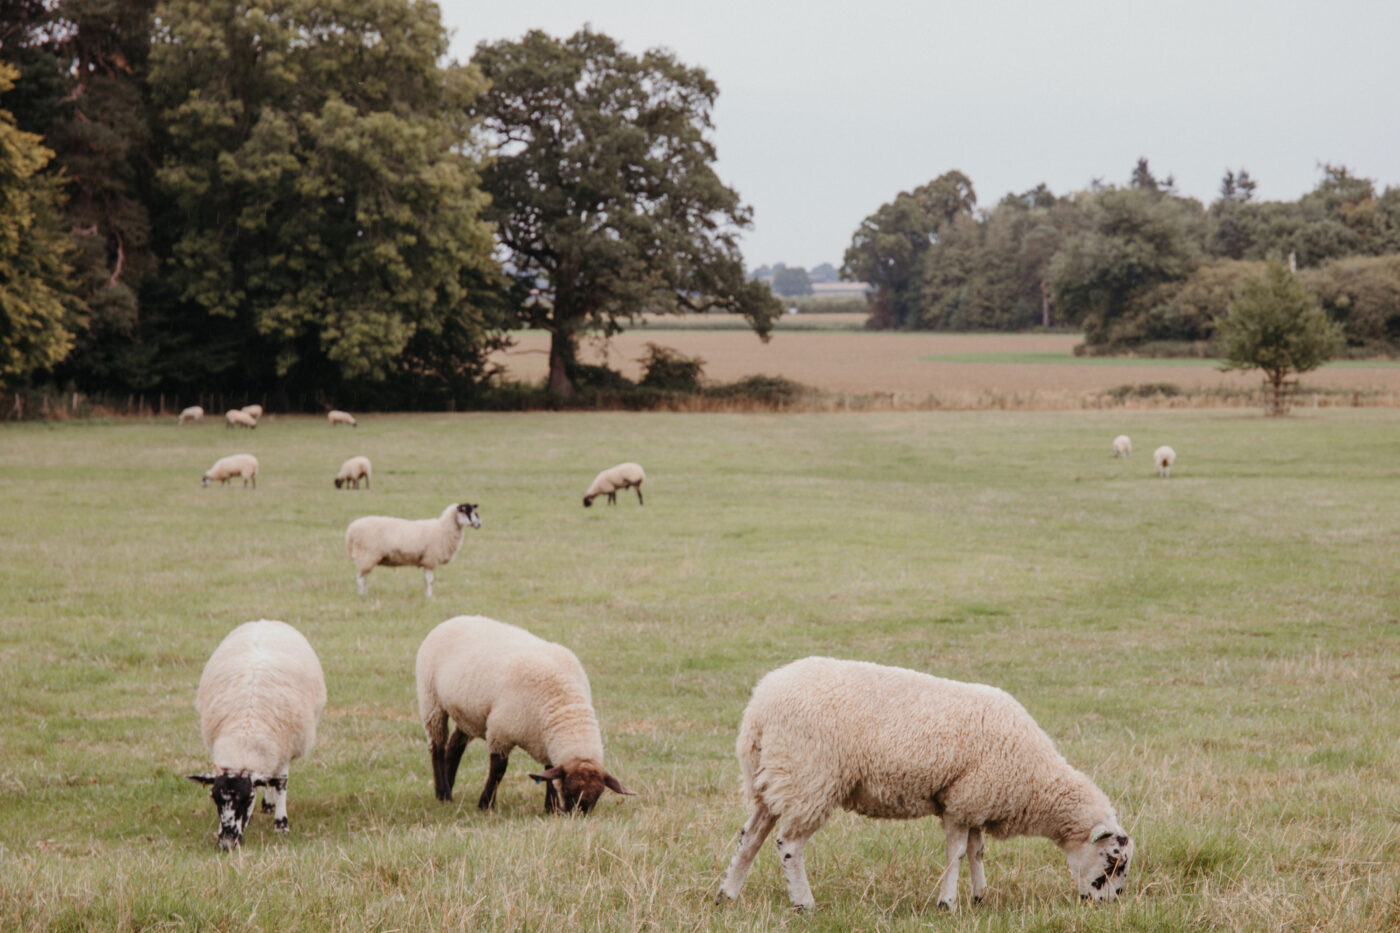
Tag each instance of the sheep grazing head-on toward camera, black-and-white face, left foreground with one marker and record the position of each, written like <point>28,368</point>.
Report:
<point>260,700</point>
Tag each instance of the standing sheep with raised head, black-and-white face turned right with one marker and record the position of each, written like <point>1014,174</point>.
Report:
<point>404,543</point>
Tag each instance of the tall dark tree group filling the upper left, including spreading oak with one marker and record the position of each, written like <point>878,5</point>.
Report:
<point>306,201</point>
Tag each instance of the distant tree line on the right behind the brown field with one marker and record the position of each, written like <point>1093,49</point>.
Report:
<point>1140,268</point>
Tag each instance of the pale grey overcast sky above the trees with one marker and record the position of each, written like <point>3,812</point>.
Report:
<point>829,110</point>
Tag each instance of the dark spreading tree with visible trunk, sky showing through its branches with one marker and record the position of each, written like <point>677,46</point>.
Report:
<point>605,194</point>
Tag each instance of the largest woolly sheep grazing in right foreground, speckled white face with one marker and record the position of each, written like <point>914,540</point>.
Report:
<point>892,743</point>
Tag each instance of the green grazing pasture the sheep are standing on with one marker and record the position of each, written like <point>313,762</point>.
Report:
<point>1221,652</point>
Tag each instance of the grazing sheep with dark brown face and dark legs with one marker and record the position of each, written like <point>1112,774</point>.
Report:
<point>502,684</point>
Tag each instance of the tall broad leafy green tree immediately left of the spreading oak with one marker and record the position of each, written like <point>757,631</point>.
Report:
<point>317,183</point>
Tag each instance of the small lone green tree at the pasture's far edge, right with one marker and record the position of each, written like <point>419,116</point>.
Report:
<point>1277,326</point>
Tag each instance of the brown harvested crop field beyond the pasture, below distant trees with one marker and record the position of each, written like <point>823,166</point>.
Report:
<point>913,365</point>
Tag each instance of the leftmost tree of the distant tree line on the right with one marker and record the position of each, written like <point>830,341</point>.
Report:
<point>888,249</point>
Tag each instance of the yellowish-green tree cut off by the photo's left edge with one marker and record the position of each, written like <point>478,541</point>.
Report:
<point>36,320</point>
